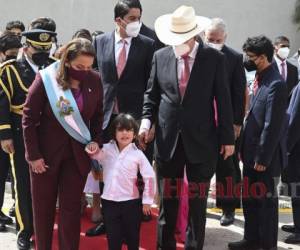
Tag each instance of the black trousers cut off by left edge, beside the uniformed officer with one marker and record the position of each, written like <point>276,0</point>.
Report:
<point>4,170</point>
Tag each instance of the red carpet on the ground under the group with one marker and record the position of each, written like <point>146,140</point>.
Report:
<point>148,235</point>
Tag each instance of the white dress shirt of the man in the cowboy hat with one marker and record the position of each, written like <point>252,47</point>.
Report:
<point>146,123</point>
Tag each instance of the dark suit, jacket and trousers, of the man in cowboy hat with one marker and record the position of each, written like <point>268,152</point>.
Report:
<point>186,134</point>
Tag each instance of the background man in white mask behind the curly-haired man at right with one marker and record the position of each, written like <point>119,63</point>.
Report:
<point>287,70</point>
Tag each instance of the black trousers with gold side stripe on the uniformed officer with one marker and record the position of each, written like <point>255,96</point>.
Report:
<point>20,170</point>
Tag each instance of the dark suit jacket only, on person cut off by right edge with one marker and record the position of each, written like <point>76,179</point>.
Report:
<point>293,138</point>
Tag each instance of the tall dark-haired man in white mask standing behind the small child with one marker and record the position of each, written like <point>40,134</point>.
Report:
<point>124,61</point>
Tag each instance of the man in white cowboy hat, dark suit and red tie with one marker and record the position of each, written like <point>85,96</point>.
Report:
<point>185,80</point>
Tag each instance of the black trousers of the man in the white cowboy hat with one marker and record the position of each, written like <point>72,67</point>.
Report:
<point>169,177</point>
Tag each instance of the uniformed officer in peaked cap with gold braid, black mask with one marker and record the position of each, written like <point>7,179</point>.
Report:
<point>16,78</point>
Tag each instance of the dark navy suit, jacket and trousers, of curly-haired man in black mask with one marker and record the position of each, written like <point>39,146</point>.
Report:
<point>263,143</point>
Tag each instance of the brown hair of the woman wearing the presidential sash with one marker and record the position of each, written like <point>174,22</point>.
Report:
<point>75,48</point>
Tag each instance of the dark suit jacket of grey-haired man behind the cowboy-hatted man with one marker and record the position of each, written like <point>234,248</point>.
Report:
<point>237,83</point>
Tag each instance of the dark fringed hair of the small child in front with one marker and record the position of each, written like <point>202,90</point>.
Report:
<point>124,121</point>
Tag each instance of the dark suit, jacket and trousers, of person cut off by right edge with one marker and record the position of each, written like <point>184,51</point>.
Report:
<point>293,148</point>
